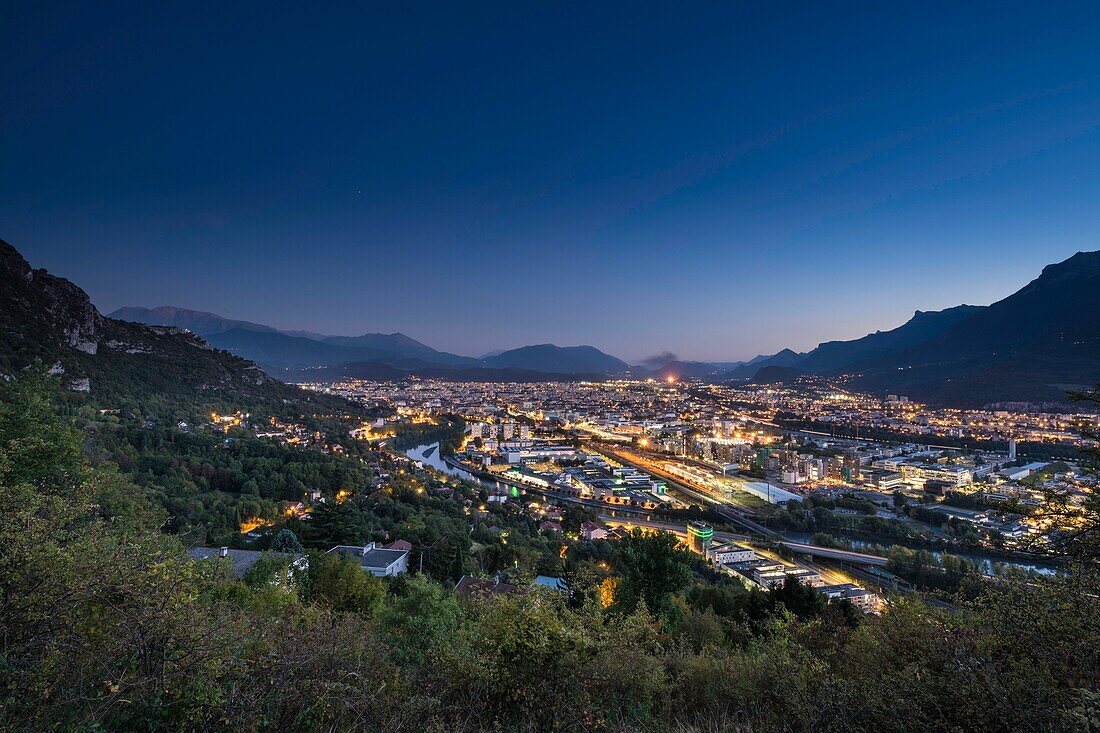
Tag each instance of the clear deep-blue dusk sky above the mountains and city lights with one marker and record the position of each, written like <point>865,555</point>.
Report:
<point>714,180</point>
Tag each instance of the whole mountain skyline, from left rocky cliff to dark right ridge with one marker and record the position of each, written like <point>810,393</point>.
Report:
<point>1032,346</point>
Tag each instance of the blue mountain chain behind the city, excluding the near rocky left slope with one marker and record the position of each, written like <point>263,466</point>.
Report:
<point>1029,347</point>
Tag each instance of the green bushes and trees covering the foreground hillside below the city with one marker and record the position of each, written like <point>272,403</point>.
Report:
<point>106,625</point>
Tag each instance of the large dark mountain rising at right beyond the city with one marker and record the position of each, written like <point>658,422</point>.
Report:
<point>1032,346</point>
